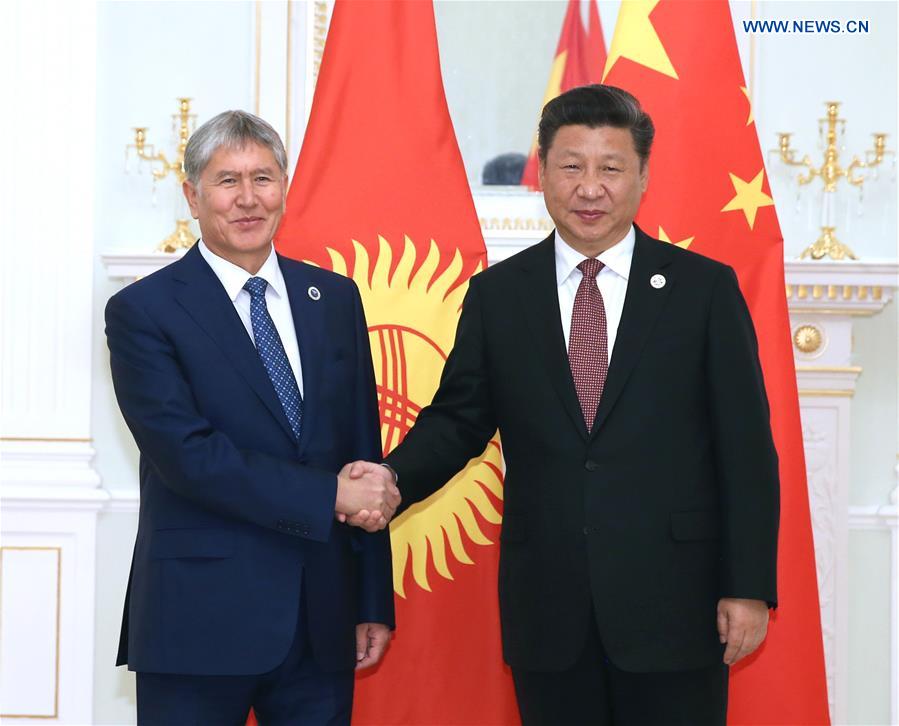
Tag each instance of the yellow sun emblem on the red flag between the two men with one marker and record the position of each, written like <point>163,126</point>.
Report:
<point>412,315</point>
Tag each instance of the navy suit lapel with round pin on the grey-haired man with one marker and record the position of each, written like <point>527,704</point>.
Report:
<point>309,322</point>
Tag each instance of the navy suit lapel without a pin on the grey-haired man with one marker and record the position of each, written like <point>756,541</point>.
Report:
<point>201,294</point>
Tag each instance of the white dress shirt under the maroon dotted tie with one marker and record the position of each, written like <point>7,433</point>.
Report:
<point>611,280</point>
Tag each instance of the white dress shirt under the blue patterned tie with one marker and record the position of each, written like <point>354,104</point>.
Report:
<point>233,279</point>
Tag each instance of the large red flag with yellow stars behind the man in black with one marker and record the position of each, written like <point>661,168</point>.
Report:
<point>708,192</point>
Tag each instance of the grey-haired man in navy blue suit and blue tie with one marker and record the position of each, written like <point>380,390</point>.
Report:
<point>246,380</point>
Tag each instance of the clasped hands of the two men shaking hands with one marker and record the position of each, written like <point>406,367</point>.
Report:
<point>367,495</point>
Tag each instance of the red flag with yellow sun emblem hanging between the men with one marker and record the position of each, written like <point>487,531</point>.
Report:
<point>380,195</point>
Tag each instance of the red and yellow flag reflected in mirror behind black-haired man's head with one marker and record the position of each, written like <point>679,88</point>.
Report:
<point>580,59</point>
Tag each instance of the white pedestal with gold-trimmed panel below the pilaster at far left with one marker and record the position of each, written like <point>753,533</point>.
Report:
<point>47,520</point>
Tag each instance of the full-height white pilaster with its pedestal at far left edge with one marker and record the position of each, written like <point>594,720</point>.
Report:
<point>49,490</point>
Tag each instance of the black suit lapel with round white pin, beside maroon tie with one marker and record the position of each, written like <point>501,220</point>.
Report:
<point>642,305</point>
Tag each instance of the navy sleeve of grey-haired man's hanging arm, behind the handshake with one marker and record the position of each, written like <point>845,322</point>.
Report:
<point>375,572</point>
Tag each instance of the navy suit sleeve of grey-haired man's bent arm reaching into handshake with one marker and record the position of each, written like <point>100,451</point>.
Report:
<point>191,457</point>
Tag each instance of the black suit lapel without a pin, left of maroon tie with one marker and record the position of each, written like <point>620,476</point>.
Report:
<point>539,297</point>
